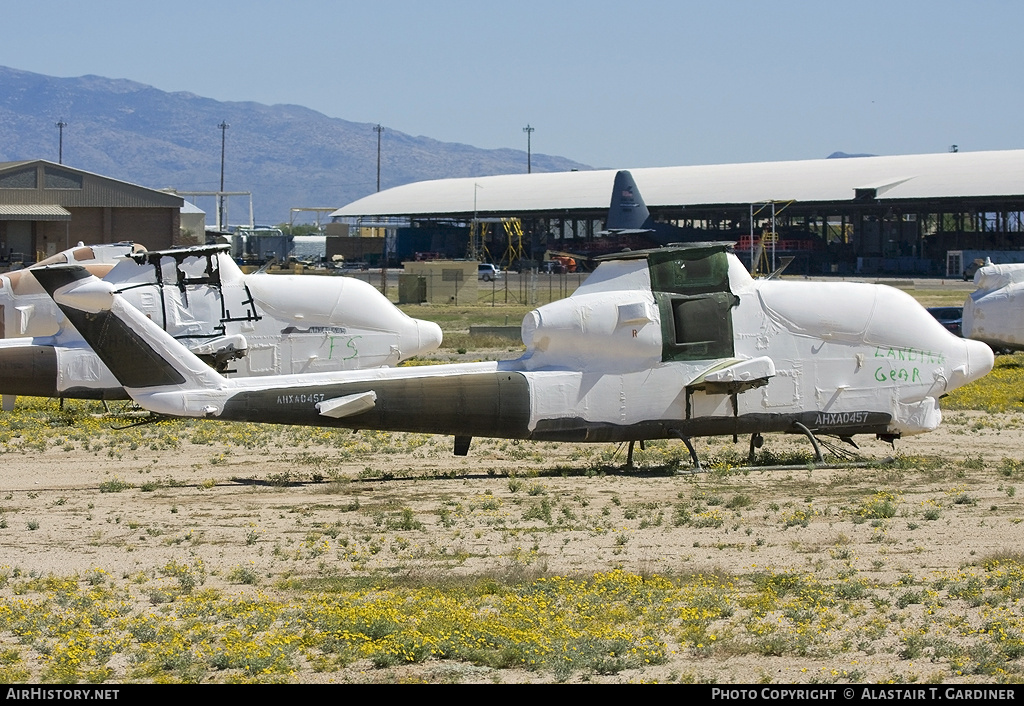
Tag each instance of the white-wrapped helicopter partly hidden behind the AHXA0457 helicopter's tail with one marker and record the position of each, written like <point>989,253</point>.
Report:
<point>244,325</point>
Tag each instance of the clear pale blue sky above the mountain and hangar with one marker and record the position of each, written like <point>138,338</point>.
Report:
<point>612,85</point>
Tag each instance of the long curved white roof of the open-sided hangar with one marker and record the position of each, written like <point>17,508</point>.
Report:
<point>944,176</point>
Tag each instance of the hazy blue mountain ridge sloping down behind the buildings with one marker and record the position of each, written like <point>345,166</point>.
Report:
<point>288,156</point>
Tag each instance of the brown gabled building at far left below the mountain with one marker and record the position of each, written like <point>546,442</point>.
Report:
<point>48,207</point>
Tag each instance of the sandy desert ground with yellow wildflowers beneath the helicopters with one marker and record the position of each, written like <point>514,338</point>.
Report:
<point>143,555</point>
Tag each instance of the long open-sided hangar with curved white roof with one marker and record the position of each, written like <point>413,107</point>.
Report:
<point>903,215</point>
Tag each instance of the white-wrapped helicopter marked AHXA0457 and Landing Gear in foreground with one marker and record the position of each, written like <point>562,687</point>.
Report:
<point>674,343</point>
